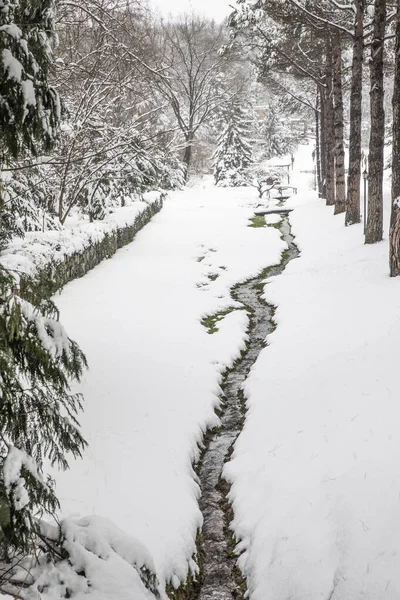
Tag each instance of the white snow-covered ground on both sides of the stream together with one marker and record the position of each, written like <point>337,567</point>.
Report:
<point>314,474</point>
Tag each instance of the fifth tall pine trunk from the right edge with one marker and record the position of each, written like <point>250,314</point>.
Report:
<point>329,125</point>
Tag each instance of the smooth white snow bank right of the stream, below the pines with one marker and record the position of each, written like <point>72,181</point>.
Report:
<point>315,477</point>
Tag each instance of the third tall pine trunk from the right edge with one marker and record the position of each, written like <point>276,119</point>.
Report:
<point>353,179</point>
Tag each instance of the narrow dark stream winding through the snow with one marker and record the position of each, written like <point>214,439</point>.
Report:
<point>221,579</point>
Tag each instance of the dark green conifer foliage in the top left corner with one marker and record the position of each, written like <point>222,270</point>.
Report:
<point>29,106</point>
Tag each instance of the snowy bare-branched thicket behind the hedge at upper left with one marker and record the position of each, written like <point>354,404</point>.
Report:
<point>112,144</point>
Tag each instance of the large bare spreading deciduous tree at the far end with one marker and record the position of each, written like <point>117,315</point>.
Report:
<point>191,75</point>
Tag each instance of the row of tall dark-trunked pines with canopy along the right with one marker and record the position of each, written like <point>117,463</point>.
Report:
<point>324,30</point>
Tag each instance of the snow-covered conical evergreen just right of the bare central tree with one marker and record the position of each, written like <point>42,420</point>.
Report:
<point>232,157</point>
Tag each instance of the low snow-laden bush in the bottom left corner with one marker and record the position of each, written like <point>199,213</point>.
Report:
<point>85,559</point>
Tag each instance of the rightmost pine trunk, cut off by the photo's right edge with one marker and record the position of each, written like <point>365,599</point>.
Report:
<point>394,237</point>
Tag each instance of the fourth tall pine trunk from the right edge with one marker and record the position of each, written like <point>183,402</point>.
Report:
<point>340,205</point>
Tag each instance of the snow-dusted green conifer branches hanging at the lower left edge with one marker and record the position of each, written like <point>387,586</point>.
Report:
<point>38,413</point>
